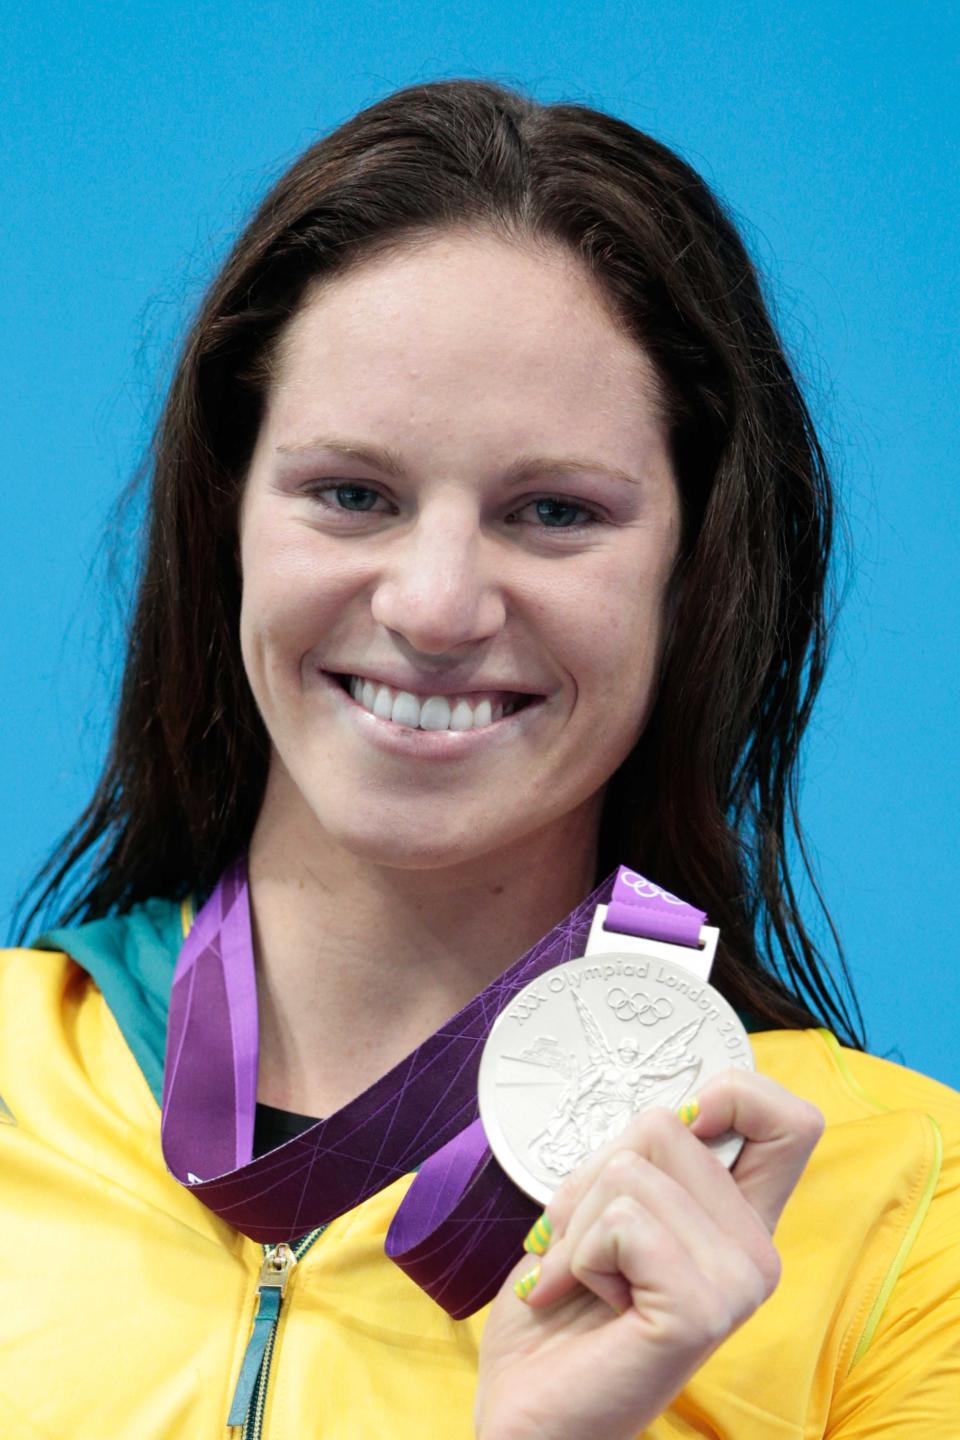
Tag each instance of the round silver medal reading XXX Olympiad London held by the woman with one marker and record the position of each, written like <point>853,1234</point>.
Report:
<point>588,1046</point>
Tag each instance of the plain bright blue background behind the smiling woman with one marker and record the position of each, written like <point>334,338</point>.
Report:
<point>137,139</point>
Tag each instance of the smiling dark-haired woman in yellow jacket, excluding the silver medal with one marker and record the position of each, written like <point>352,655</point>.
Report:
<point>487,551</point>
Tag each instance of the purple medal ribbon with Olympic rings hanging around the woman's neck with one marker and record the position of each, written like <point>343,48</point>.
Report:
<point>461,1225</point>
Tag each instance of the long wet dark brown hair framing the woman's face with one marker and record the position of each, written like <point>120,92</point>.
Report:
<point>707,803</point>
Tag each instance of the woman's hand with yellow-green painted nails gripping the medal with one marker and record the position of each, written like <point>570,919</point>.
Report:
<point>657,1255</point>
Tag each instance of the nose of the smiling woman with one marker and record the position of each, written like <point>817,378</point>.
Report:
<point>437,588</point>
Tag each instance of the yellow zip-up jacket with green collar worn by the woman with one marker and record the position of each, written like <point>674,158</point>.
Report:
<point>126,1307</point>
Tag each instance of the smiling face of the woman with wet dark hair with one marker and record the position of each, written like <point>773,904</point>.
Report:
<point>457,536</point>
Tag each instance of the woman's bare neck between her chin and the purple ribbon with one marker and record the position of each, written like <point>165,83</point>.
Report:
<point>359,963</point>
